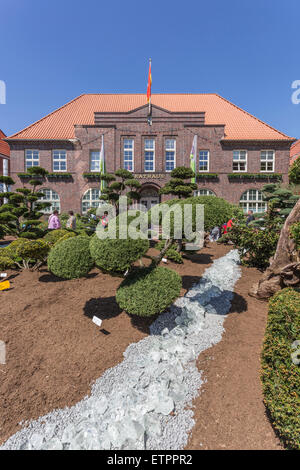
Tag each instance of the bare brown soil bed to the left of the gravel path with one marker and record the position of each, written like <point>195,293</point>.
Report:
<point>54,351</point>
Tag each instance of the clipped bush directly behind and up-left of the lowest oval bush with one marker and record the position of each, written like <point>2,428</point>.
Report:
<point>117,255</point>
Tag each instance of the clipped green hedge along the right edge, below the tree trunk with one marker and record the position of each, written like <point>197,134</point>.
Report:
<point>280,375</point>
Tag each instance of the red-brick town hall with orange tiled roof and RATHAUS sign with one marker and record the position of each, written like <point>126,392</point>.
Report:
<point>237,153</point>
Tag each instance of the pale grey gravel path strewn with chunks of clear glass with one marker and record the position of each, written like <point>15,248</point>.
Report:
<point>144,402</point>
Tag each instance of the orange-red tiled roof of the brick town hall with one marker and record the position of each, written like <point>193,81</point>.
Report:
<point>239,125</point>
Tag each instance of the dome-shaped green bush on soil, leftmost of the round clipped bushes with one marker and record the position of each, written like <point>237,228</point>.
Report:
<point>71,258</point>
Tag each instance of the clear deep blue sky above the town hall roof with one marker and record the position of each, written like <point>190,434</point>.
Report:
<point>247,51</point>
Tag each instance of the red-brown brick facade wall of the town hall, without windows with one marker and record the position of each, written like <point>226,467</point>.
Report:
<point>118,126</point>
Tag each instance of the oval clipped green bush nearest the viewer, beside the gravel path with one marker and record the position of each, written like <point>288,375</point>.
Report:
<point>147,291</point>
